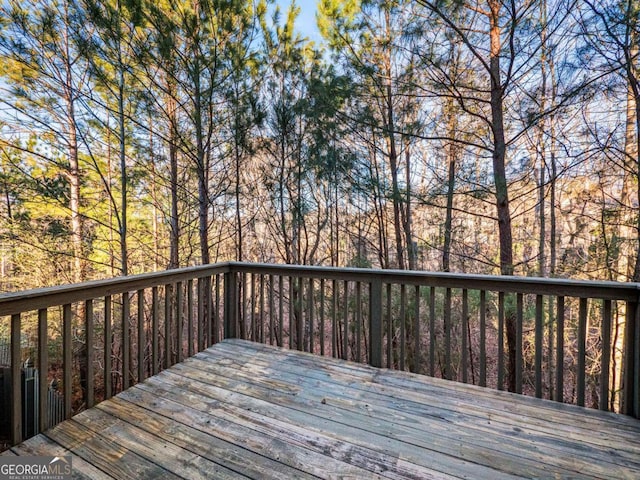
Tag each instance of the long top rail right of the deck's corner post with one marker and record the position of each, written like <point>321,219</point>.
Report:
<point>498,283</point>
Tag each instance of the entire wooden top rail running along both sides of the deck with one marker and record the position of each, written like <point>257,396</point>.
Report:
<point>17,302</point>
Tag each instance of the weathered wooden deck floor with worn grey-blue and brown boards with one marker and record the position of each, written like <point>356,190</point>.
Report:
<point>244,410</point>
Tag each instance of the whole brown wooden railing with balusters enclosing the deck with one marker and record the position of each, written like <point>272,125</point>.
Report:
<point>575,341</point>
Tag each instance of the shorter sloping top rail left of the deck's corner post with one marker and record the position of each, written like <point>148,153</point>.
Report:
<point>17,302</point>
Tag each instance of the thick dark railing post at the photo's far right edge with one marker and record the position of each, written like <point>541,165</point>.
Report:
<point>631,400</point>
